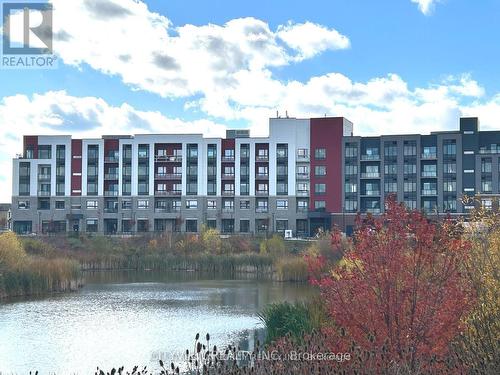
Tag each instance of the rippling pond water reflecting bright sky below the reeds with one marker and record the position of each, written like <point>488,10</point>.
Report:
<point>133,318</point>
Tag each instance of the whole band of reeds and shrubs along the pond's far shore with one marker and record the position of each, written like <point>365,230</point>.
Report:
<point>42,265</point>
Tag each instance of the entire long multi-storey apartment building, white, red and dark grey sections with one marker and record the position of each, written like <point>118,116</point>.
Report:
<point>307,174</point>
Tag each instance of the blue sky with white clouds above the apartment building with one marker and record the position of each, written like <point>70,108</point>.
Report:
<point>130,66</point>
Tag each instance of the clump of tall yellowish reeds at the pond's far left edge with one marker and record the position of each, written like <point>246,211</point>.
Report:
<point>23,274</point>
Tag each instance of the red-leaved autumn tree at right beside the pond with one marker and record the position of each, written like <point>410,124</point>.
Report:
<point>398,293</point>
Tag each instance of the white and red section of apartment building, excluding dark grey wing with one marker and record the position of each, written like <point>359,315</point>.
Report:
<point>167,182</point>
